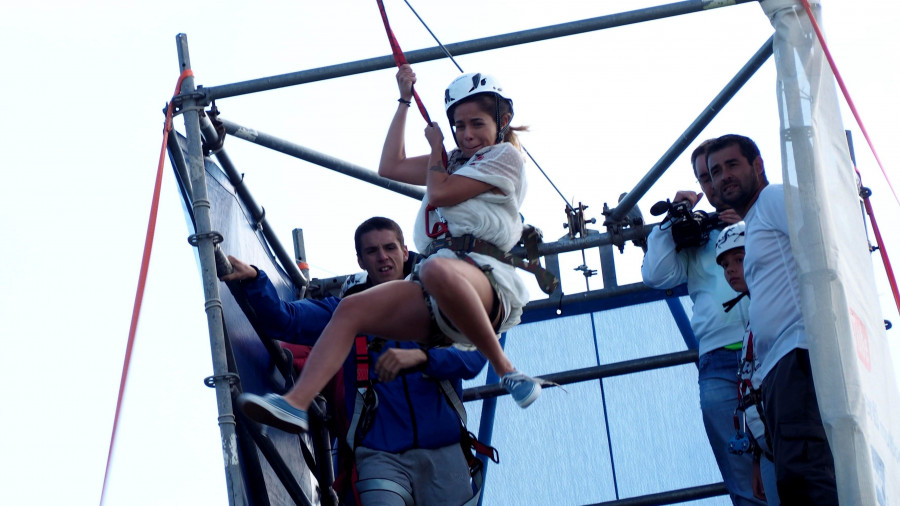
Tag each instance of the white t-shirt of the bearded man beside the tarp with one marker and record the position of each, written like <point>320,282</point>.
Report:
<point>771,274</point>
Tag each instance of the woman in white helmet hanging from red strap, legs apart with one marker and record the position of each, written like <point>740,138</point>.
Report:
<point>468,298</point>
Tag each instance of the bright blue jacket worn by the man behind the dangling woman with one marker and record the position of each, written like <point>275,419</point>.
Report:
<point>412,411</point>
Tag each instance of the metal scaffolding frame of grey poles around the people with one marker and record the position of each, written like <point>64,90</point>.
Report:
<point>193,99</point>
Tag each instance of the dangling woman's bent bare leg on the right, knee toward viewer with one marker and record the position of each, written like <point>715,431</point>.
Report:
<point>465,295</point>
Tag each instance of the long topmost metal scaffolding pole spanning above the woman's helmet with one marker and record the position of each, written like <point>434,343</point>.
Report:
<point>468,47</point>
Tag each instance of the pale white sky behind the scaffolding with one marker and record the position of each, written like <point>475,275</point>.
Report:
<point>83,90</point>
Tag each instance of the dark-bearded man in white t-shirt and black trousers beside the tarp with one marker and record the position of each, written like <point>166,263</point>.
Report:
<point>804,466</point>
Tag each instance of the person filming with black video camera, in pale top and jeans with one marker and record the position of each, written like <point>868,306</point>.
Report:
<point>679,251</point>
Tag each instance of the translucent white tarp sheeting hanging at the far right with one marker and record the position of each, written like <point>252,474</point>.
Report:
<point>847,342</point>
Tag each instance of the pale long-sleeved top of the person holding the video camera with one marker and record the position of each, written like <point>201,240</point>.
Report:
<point>663,268</point>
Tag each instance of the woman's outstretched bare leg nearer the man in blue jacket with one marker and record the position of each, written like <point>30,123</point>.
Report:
<point>394,310</point>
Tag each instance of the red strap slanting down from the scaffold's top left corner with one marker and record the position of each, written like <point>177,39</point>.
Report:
<point>142,278</point>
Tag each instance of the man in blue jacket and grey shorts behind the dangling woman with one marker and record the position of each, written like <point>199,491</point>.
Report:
<point>410,451</point>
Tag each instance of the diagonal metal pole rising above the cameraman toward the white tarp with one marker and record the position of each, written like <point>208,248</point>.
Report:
<point>686,138</point>
